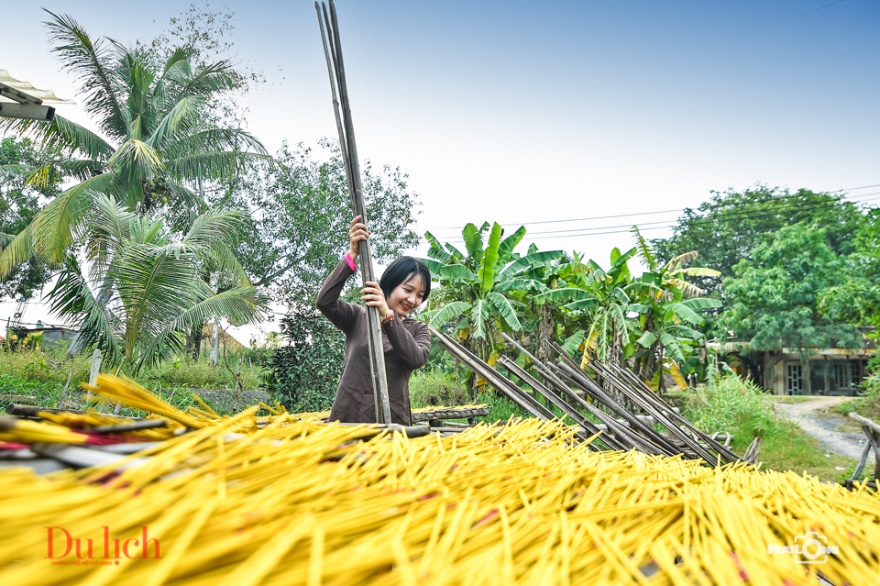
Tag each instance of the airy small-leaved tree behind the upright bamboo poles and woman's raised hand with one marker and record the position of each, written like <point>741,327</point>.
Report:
<point>298,217</point>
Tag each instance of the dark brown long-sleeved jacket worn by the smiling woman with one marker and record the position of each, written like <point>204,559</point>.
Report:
<point>406,344</point>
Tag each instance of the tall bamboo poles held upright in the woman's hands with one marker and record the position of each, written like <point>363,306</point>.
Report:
<point>336,69</point>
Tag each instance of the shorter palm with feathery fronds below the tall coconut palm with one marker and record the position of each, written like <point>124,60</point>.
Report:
<point>152,284</point>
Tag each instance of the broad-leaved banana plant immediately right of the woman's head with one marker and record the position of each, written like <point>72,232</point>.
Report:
<point>477,287</point>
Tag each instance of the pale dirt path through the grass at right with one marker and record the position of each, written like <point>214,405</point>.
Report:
<point>824,427</point>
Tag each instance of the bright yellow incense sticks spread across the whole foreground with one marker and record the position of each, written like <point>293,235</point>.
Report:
<point>282,500</point>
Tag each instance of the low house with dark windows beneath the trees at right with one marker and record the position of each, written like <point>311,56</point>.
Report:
<point>820,371</point>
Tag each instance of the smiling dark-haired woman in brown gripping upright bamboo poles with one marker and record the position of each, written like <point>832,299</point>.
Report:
<point>406,342</point>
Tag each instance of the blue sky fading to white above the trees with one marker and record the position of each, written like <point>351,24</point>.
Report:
<point>535,112</point>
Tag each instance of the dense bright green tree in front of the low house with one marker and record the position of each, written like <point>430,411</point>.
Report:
<point>774,294</point>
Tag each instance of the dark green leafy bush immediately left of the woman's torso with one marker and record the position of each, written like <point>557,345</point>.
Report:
<point>304,375</point>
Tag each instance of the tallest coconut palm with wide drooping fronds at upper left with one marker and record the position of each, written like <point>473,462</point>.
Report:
<point>157,142</point>
